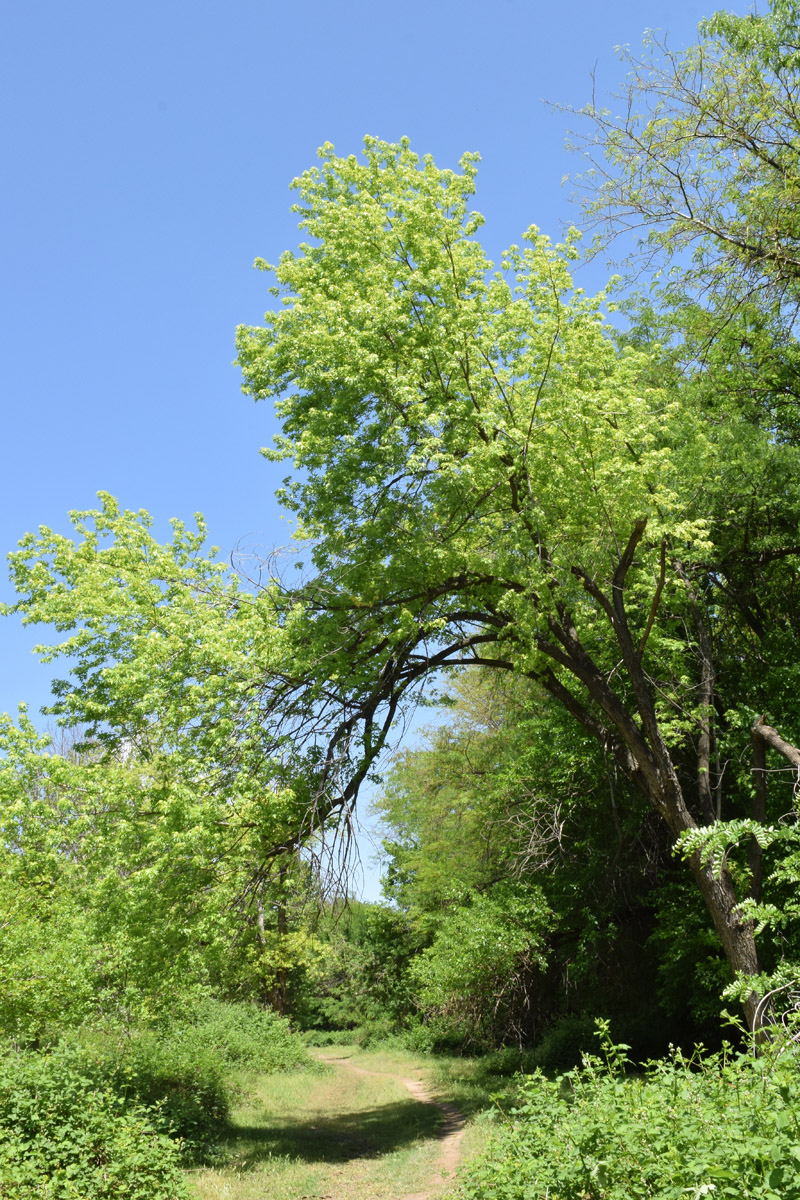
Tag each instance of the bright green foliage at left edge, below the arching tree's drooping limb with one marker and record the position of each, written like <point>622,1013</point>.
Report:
<point>125,890</point>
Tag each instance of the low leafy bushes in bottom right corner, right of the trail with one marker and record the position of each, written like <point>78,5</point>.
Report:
<point>715,1126</point>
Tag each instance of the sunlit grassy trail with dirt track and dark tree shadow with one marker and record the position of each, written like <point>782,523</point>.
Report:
<point>370,1127</point>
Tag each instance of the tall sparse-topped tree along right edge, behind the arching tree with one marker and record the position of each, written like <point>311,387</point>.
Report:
<point>700,161</point>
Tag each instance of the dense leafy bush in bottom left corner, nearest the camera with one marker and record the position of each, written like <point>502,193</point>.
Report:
<point>63,1138</point>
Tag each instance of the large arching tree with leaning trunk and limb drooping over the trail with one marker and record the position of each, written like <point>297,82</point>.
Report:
<point>484,477</point>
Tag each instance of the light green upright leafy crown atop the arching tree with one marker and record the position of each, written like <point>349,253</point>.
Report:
<point>429,401</point>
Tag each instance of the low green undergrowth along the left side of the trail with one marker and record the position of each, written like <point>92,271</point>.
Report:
<point>115,1112</point>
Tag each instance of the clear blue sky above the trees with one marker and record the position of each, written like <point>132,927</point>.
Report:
<point>148,152</point>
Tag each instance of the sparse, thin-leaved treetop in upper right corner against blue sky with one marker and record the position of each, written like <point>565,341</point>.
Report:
<point>707,154</point>
